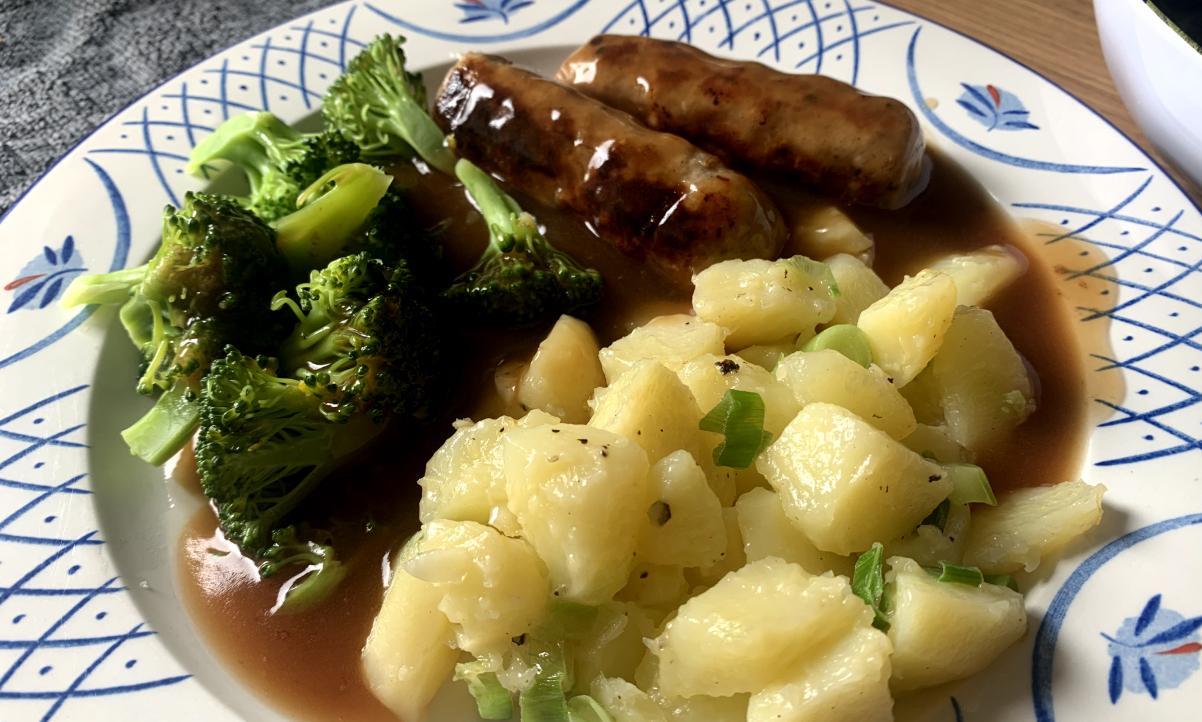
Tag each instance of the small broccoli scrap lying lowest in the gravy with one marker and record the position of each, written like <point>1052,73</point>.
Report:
<point>319,576</point>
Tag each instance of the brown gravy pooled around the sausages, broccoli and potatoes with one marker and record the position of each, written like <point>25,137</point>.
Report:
<point>308,665</point>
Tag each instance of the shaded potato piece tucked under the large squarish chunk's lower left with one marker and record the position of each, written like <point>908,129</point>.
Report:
<point>767,533</point>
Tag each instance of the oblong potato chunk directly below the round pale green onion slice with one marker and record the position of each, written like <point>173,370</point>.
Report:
<point>832,378</point>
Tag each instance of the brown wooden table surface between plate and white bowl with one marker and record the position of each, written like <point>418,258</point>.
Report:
<point>1058,39</point>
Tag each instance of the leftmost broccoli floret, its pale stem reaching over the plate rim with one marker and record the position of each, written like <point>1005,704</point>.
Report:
<point>209,285</point>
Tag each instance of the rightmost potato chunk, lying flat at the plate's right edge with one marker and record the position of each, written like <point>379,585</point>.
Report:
<point>1030,526</point>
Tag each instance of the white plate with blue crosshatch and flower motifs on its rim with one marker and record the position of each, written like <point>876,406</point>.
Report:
<point>91,626</point>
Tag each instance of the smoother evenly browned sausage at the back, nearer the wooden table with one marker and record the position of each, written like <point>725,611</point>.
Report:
<point>860,148</point>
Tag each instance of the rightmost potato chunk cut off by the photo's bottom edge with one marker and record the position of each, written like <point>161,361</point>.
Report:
<point>847,683</point>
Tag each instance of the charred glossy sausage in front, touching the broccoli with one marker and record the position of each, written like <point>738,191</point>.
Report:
<point>653,195</point>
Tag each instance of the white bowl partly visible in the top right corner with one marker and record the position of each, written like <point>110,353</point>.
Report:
<point>1159,76</point>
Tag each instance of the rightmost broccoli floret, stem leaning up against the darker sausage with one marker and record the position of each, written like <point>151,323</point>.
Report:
<point>521,278</point>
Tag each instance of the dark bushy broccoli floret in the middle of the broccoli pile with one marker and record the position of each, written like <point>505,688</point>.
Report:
<point>367,342</point>
